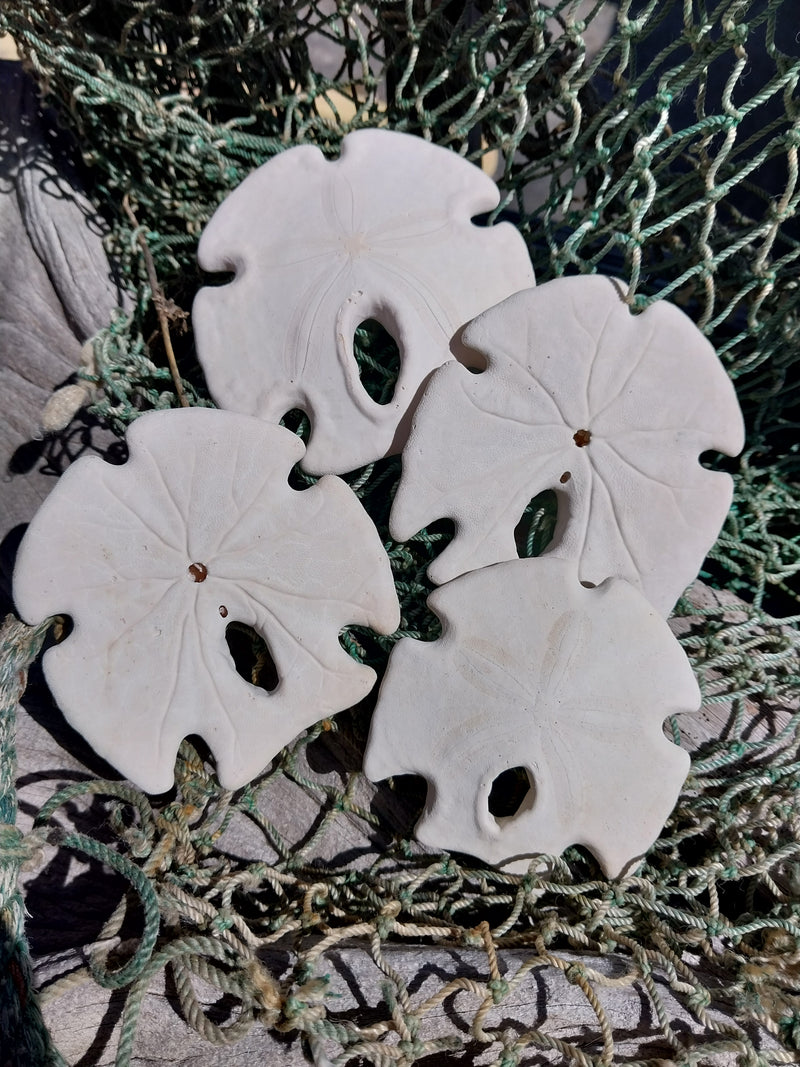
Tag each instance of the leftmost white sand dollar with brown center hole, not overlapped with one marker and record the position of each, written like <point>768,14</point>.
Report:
<point>155,559</point>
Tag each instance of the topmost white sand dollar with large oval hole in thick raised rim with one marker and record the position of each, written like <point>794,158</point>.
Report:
<point>383,233</point>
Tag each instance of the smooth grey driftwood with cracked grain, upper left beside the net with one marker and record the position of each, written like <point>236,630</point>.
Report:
<point>56,291</point>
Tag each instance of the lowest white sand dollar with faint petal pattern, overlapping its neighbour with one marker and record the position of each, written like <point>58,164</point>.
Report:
<point>535,672</point>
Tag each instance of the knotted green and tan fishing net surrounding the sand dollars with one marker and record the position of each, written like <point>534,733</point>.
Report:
<point>665,154</point>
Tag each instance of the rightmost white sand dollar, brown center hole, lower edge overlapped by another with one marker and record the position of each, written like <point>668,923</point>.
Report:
<point>610,409</point>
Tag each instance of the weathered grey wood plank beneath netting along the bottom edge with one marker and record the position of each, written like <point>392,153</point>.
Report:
<point>87,1021</point>
